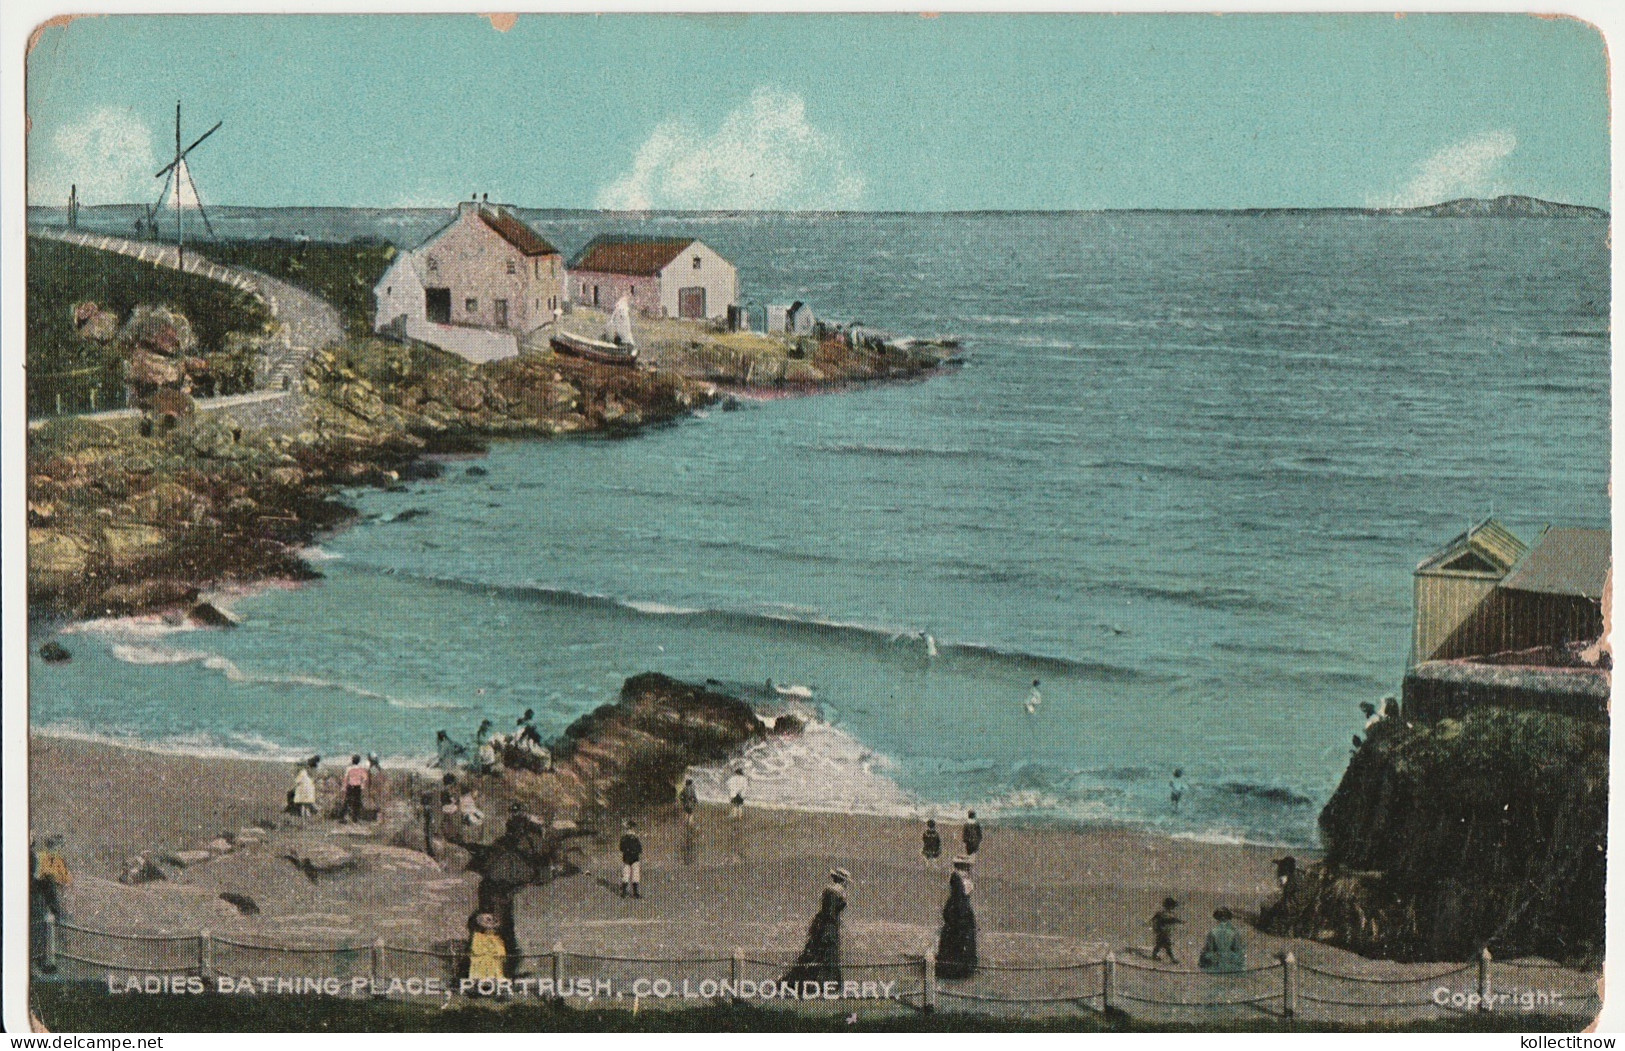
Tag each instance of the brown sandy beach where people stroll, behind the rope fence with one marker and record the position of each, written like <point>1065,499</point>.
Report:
<point>1044,894</point>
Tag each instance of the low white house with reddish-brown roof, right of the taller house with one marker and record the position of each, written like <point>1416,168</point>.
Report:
<point>664,277</point>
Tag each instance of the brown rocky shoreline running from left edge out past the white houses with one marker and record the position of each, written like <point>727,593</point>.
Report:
<point>132,517</point>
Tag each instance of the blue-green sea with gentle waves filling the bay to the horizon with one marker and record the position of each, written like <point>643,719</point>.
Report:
<point>1182,482</point>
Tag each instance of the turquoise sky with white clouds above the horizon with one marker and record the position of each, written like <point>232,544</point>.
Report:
<point>825,111</point>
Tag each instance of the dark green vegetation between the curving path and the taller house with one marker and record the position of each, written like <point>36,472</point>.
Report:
<point>340,274</point>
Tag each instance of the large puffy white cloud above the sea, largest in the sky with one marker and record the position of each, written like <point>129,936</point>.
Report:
<point>765,155</point>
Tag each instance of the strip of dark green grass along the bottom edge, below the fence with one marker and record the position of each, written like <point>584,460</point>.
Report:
<point>92,1010</point>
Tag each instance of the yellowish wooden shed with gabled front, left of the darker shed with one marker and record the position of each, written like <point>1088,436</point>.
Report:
<point>1454,584</point>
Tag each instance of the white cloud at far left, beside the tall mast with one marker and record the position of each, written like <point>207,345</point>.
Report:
<point>108,154</point>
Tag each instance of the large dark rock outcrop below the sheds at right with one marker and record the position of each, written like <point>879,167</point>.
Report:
<point>1447,837</point>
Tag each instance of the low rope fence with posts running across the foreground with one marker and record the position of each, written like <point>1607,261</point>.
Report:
<point>1281,988</point>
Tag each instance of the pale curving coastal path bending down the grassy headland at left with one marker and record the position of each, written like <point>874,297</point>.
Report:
<point>306,324</point>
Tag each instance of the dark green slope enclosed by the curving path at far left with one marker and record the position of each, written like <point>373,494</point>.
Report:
<point>89,373</point>
